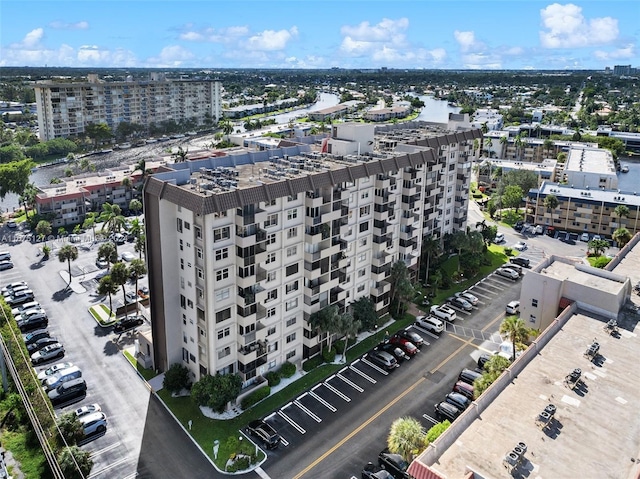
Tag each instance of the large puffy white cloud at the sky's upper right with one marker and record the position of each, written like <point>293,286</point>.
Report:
<point>566,27</point>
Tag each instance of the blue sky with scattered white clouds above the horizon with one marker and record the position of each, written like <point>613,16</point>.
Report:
<point>451,34</point>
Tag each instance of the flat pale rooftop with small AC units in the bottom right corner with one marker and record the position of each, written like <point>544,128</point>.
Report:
<point>595,432</point>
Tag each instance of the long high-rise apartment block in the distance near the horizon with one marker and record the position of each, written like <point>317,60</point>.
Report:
<point>65,109</point>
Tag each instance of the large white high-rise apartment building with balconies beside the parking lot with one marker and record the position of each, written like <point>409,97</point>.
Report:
<point>242,249</point>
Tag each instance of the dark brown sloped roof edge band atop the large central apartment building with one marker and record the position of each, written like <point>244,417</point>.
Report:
<point>211,203</point>
